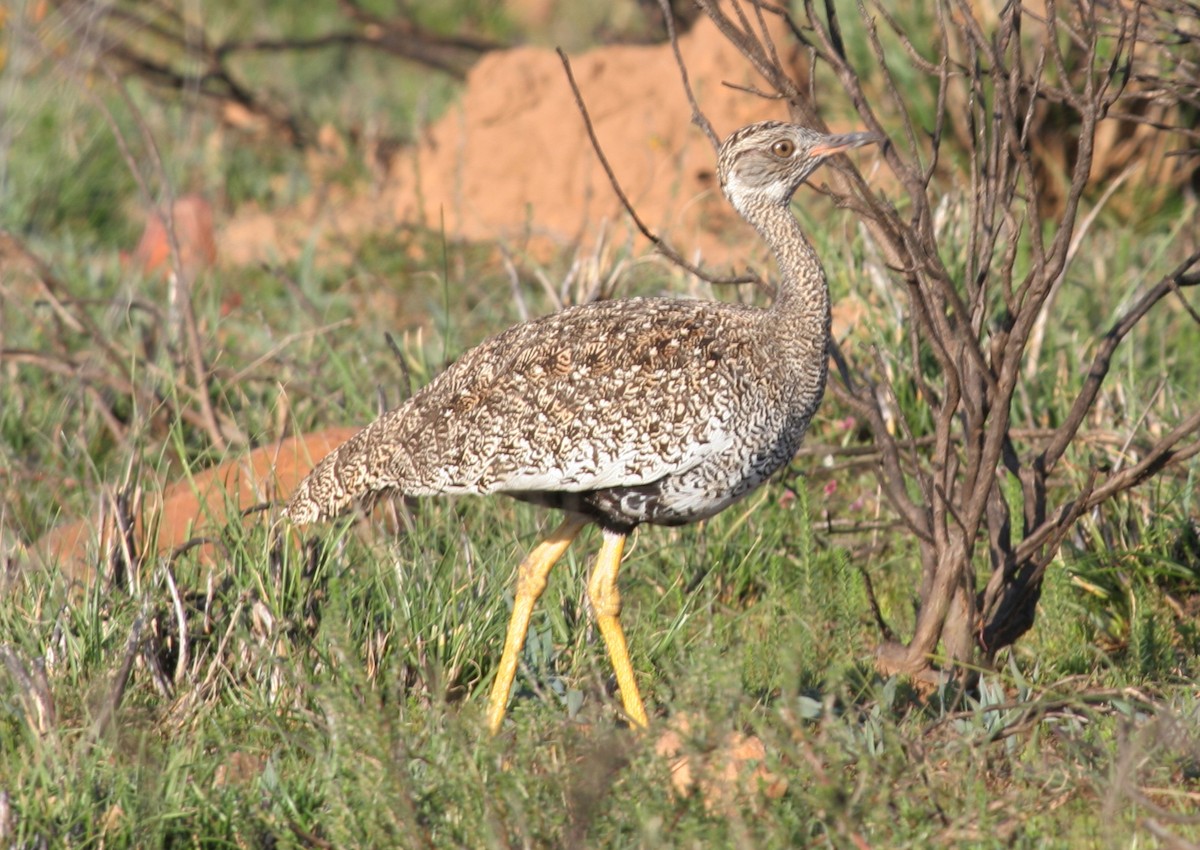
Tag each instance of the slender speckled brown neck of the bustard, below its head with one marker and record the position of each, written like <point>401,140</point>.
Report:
<point>801,310</point>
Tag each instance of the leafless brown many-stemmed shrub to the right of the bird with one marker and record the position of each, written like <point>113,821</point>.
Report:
<point>968,336</point>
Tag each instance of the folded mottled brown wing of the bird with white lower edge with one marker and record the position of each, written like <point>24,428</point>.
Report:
<point>615,394</point>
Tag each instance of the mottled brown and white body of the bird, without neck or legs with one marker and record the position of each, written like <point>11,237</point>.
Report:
<point>633,411</point>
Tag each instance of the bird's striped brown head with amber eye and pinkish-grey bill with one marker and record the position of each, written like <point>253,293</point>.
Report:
<point>767,163</point>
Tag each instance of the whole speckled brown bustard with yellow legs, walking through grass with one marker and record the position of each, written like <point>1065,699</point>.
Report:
<point>659,411</point>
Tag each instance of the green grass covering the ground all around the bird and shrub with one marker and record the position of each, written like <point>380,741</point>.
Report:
<point>334,696</point>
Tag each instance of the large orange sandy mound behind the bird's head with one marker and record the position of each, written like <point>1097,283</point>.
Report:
<point>513,163</point>
